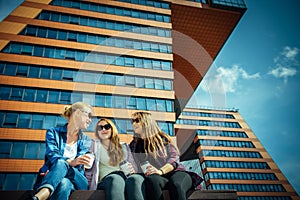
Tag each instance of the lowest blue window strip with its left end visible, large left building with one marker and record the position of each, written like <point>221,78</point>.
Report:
<point>85,56</point>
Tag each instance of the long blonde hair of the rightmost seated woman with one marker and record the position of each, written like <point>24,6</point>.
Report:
<point>155,138</point>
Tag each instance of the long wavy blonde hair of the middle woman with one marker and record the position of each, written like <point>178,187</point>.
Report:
<point>115,151</point>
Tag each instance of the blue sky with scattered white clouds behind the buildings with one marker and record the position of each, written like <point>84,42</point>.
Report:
<point>257,72</point>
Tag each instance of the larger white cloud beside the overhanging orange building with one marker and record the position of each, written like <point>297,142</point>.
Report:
<point>224,80</point>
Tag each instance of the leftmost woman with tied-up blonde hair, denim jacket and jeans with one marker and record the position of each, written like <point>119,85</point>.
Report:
<point>66,147</point>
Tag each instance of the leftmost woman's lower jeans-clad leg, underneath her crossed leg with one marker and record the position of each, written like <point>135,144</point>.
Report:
<point>63,190</point>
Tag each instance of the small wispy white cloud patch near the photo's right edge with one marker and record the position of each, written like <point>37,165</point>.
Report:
<point>285,64</point>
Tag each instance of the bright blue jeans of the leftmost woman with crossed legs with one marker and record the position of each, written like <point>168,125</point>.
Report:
<point>62,179</point>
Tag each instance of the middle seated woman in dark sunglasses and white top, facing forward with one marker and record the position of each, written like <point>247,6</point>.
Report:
<point>106,173</point>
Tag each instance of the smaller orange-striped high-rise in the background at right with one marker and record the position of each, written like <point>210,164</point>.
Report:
<point>230,155</point>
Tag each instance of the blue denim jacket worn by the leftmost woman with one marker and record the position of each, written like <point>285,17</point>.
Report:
<point>56,138</point>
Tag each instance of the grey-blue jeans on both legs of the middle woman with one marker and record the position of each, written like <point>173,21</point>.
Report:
<point>115,184</point>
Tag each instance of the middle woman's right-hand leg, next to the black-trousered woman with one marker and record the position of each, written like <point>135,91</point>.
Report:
<point>135,187</point>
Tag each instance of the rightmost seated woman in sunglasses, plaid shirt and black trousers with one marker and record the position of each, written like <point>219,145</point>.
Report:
<point>164,170</point>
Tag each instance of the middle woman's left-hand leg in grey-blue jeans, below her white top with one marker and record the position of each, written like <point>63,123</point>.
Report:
<point>114,187</point>
